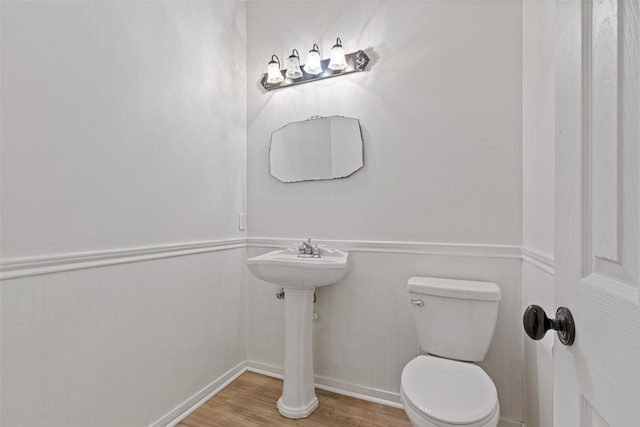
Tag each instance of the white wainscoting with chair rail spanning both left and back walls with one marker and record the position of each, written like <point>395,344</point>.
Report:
<point>140,336</point>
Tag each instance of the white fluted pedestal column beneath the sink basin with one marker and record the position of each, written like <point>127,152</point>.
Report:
<point>298,398</point>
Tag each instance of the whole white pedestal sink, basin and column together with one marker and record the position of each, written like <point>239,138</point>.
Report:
<point>299,276</point>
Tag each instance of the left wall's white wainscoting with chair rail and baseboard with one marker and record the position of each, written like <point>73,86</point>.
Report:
<point>120,338</point>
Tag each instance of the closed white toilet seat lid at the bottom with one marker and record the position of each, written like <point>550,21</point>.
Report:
<point>445,392</point>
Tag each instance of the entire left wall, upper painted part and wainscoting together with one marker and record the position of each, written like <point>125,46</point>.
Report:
<point>123,127</point>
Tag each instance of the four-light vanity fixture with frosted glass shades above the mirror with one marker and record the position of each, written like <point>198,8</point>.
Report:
<point>315,68</point>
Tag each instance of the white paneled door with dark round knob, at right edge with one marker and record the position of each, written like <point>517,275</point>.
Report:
<point>597,379</point>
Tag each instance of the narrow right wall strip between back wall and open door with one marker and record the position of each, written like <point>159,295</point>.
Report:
<point>538,129</point>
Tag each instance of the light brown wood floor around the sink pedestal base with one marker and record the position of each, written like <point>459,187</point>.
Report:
<point>251,401</point>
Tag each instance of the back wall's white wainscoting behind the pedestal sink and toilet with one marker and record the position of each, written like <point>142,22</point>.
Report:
<point>365,335</point>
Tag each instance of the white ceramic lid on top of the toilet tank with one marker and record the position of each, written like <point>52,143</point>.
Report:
<point>454,288</point>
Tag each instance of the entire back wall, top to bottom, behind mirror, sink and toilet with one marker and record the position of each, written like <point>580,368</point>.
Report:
<point>440,108</point>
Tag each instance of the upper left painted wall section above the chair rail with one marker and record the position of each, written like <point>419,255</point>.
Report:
<point>123,124</point>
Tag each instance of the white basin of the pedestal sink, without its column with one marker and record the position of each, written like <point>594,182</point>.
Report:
<point>285,268</point>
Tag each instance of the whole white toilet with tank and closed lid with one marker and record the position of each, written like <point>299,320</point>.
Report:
<point>455,321</point>
